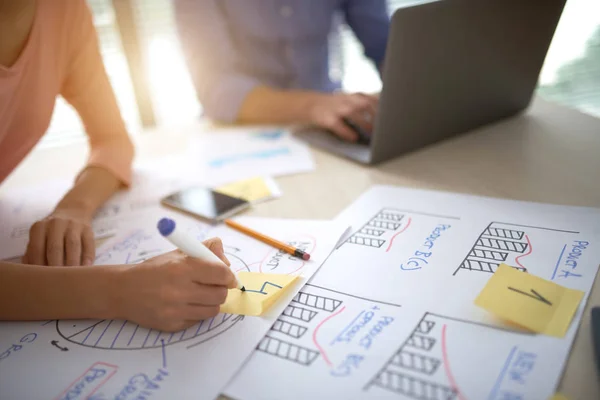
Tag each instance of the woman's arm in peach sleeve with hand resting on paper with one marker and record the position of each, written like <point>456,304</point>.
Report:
<point>65,236</point>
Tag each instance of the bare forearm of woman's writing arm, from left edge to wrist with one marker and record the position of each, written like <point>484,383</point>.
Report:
<point>30,292</point>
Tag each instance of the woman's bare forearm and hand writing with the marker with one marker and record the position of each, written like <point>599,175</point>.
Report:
<point>168,292</point>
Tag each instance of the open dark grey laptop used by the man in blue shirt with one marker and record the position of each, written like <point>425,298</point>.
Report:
<point>452,66</point>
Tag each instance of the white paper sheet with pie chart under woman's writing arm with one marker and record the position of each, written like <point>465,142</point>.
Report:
<point>120,360</point>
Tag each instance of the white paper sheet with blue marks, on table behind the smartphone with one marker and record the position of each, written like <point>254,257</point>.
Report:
<point>231,155</point>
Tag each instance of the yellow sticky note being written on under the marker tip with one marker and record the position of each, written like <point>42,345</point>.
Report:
<point>262,290</point>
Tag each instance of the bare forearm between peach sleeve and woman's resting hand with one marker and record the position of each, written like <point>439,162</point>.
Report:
<point>94,186</point>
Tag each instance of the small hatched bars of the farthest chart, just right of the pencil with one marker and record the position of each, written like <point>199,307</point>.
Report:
<point>381,228</point>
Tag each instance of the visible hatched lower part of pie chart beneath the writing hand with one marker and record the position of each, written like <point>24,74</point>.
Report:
<point>124,335</point>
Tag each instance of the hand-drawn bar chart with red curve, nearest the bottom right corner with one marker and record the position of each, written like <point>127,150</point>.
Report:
<point>444,358</point>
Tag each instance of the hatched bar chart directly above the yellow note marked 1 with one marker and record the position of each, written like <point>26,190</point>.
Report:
<point>506,243</point>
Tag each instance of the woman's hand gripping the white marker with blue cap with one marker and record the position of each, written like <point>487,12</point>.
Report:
<point>174,291</point>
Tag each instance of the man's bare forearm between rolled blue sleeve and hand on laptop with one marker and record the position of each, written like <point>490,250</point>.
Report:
<point>265,105</point>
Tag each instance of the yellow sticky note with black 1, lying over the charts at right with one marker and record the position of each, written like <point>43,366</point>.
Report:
<point>530,301</point>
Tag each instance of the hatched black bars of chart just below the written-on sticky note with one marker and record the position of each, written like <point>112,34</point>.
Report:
<point>290,337</point>
